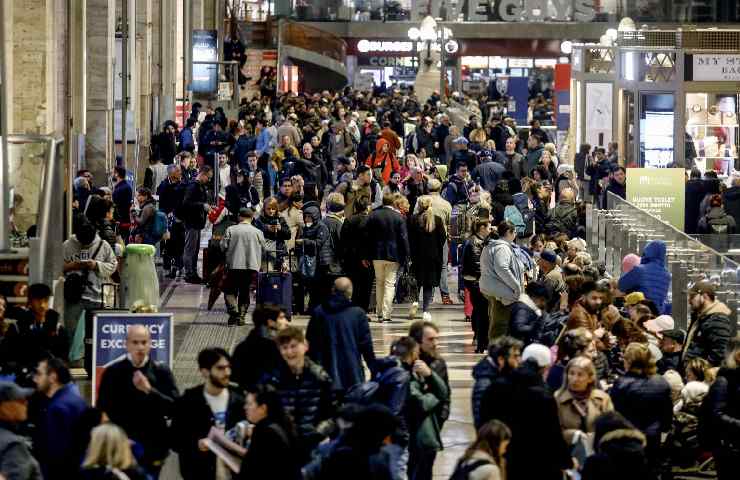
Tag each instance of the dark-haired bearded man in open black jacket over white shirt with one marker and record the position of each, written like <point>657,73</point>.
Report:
<point>201,408</point>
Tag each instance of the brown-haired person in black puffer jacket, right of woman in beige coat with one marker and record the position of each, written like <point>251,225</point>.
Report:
<point>644,397</point>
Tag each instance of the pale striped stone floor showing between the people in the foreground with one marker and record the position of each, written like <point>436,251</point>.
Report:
<point>196,328</point>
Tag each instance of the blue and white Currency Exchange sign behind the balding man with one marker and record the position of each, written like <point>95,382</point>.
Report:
<point>109,339</point>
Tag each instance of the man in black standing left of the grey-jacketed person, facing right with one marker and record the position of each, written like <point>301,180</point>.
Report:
<point>195,208</point>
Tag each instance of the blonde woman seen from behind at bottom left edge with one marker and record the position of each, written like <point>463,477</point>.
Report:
<point>109,456</point>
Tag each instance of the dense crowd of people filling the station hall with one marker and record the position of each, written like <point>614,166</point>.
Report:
<point>353,202</point>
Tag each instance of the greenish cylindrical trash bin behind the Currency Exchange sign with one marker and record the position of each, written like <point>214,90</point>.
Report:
<point>139,279</point>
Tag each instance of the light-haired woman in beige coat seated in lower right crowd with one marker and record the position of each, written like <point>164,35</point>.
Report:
<point>579,401</point>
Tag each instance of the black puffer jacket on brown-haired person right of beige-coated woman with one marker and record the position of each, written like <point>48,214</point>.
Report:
<point>646,402</point>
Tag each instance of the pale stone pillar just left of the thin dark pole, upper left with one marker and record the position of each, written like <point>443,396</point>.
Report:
<point>101,31</point>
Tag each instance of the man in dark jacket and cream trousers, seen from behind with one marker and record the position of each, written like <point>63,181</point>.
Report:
<point>388,248</point>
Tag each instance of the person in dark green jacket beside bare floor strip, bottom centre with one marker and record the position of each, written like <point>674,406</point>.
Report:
<point>427,390</point>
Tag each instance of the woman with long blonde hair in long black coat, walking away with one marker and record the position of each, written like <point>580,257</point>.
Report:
<point>427,235</point>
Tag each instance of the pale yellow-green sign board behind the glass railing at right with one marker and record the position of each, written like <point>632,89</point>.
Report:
<point>658,191</point>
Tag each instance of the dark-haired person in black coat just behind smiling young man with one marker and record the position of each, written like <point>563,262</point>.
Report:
<point>258,355</point>
